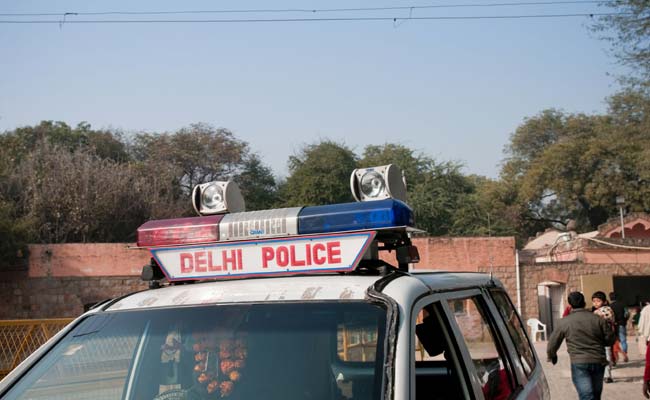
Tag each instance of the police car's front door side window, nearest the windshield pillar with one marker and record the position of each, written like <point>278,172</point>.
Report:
<point>437,376</point>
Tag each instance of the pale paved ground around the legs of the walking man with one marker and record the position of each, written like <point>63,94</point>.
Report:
<point>627,376</point>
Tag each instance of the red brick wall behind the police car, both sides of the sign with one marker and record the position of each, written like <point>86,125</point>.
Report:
<point>62,278</point>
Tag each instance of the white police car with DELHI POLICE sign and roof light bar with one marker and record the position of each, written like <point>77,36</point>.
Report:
<point>292,303</point>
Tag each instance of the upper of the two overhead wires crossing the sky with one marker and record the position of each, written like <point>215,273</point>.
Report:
<point>316,10</point>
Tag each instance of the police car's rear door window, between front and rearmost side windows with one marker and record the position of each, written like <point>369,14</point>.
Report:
<point>490,365</point>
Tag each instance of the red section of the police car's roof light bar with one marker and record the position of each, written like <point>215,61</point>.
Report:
<point>179,231</point>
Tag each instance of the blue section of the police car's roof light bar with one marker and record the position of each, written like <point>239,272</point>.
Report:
<point>354,216</point>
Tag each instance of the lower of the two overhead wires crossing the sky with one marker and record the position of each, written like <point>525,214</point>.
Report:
<point>274,20</point>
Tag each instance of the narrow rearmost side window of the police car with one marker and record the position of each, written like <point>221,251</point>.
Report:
<point>515,329</point>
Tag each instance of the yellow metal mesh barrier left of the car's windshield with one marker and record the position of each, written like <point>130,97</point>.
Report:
<point>21,337</point>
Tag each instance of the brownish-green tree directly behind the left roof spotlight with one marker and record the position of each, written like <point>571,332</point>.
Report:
<point>176,162</point>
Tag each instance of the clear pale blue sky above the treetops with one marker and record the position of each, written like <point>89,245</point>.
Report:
<point>450,89</point>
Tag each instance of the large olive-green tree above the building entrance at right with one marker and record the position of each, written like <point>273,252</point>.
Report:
<point>582,163</point>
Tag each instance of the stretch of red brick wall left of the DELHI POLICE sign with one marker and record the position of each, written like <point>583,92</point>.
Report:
<point>62,278</point>
